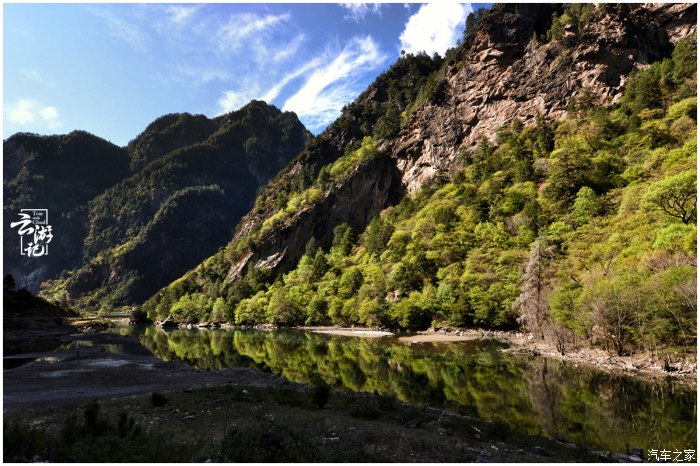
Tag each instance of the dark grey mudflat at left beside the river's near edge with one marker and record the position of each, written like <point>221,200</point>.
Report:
<point>75,376</point>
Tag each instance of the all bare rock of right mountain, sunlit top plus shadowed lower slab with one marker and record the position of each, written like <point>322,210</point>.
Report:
<point>505,72</point>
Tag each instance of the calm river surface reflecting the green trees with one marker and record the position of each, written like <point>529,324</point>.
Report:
<point>528,394</point>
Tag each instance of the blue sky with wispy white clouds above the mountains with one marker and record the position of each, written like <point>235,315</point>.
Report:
<point>111,69</point>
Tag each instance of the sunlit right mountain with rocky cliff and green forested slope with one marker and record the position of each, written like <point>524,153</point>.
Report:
<point>526,179</point>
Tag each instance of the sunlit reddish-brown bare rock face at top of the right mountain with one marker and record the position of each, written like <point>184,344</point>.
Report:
<point>505,74</point>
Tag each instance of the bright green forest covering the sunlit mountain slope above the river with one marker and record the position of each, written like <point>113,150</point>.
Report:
<point>580,229</point>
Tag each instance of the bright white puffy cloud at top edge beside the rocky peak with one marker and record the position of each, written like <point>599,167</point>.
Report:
<point>435,27</point>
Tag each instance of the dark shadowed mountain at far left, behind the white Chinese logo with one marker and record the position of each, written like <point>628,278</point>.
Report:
<point>61,174</point>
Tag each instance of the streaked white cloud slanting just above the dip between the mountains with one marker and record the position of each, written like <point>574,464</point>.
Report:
<point>335,83</point>
